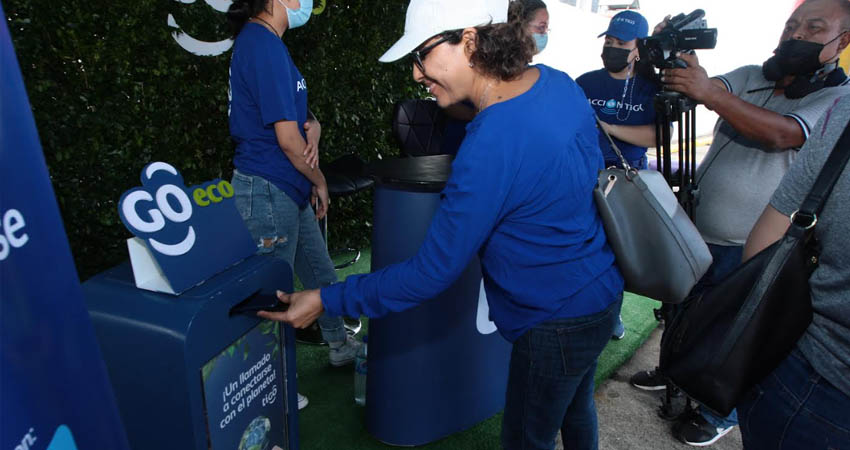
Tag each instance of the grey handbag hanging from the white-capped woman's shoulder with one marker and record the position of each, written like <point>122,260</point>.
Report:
<point>658,249</point>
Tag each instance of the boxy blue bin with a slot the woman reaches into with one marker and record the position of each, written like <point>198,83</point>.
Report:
<point>187,374</point>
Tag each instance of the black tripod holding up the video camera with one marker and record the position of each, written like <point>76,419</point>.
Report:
<point>674,107</point>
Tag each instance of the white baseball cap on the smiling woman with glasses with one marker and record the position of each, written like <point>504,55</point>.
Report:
<point>428,18</point>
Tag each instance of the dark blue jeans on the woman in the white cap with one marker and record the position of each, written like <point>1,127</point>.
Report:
<point>550,382</point>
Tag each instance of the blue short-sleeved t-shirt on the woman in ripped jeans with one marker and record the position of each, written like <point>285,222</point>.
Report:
<point>266,87</point>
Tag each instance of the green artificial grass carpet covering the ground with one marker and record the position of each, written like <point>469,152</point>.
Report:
<point>333,421</point>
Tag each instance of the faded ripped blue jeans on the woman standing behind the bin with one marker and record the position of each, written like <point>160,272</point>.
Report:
<point>290,233</point>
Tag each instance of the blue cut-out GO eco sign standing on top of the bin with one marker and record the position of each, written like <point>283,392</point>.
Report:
<point>192,233</point>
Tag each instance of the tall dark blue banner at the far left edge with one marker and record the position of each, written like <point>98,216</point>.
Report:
<point>54,390</point>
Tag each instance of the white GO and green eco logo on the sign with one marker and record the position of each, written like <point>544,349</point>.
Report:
<point>161,210</point>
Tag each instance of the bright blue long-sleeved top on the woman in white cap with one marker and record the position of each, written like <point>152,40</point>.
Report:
<point>520,196</point>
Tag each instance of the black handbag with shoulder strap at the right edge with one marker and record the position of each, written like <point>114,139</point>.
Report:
<point>730,337</point>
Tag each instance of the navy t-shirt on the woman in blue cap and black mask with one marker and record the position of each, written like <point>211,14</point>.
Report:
<point>605,95</point>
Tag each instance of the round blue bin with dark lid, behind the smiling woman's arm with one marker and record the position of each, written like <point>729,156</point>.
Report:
<point>440,367</point>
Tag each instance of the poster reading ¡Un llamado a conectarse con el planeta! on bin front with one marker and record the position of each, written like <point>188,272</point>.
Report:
<point>244,393</point>
